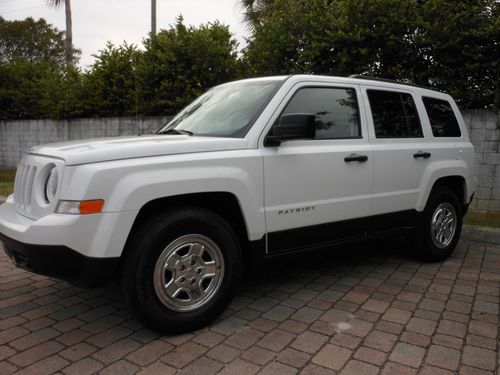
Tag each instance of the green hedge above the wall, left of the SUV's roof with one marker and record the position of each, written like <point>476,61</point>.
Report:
<point>176,66</point>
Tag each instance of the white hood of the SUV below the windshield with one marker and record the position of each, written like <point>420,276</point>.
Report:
<point>106,149</point>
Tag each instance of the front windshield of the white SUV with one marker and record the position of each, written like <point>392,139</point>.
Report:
<point>226,111</point>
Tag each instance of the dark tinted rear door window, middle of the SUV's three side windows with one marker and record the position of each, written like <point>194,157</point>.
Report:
<point>394,114</point>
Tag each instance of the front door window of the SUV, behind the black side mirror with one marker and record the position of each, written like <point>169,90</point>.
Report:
<point>335,110</point>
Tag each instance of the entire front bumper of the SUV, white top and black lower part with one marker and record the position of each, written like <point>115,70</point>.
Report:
<point>82,249</point>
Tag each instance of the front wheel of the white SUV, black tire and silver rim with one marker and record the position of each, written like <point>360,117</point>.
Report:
<point>181,269</point>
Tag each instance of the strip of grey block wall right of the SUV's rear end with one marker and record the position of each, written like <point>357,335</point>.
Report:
<point>484,131</point>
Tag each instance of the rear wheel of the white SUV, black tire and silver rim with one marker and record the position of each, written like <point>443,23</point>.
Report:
<point>439,230</point>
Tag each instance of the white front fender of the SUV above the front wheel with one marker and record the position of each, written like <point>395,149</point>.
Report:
<point>128,185</point>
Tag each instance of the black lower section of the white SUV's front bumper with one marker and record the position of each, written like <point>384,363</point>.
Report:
<point>61,262</point>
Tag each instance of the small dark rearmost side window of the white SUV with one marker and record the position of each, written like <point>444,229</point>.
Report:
<point>443,120</point>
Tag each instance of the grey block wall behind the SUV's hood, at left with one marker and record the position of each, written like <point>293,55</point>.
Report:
<point>16,137</point>
